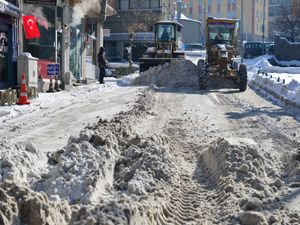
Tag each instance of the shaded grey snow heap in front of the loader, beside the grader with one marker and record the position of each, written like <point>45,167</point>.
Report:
<point>177,73</point>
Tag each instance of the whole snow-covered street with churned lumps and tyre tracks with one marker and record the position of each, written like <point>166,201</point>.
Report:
<point>132,154</point>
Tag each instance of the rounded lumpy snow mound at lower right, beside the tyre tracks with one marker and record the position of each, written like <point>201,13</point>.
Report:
<point>248,181</point>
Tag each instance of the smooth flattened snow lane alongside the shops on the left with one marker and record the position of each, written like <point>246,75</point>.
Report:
<point>53,117</point>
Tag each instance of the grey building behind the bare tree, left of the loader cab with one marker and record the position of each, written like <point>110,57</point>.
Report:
<point>132,21</point>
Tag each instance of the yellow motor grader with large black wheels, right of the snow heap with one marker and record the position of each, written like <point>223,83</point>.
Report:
<point>221,63</point>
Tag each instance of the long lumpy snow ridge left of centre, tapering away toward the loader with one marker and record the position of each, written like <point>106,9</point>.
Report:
<point>85,167</point>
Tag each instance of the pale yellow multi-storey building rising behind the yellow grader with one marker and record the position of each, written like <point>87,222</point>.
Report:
<point>254,14</point>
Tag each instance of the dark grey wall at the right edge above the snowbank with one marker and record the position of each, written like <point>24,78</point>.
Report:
<point>285,50</point>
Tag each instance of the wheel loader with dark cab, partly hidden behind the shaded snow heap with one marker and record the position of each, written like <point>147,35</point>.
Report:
<point>166,34</point>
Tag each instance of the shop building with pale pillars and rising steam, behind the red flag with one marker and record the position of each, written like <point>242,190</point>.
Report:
<point>71,34</point>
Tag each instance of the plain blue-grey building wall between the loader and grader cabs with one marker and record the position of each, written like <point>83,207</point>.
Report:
<point>191,32</point>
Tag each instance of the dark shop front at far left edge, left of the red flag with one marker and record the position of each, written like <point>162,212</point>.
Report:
<point>9,15</point>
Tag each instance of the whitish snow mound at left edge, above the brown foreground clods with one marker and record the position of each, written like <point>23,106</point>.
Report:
<point>21,162</point>
